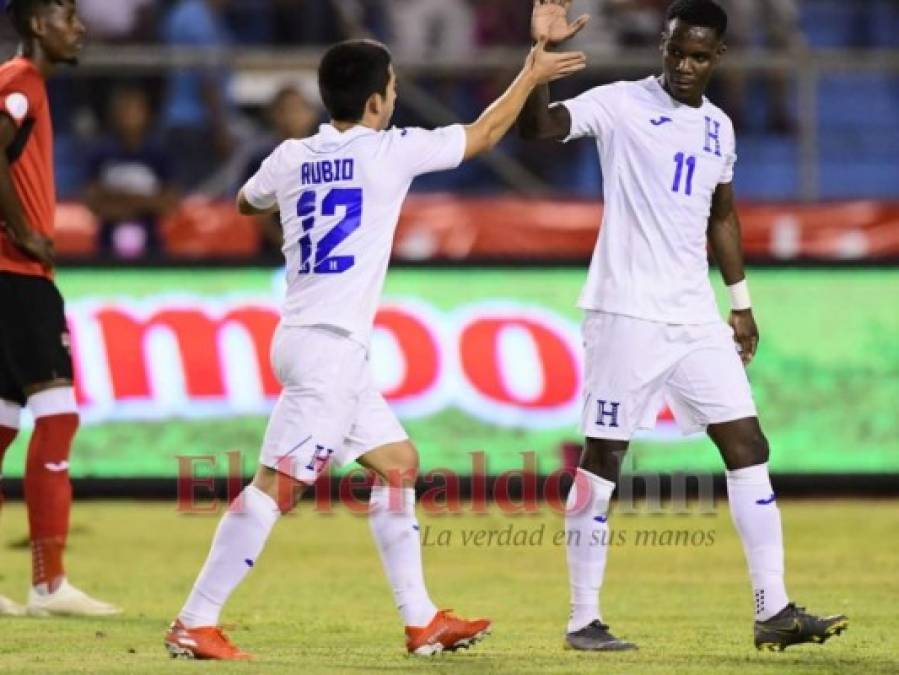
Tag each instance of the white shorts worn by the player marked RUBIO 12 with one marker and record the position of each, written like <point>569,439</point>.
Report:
<point>329,411</point>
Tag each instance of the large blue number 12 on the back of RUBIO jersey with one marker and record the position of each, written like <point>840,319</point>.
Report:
<point>325,263</point>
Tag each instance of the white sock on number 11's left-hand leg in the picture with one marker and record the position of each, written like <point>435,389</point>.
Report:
<point>587,543</point>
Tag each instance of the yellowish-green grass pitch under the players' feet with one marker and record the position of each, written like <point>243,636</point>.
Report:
<point>317,600</point>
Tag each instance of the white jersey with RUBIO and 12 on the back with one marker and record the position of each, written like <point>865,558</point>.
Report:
<point>340,196</point>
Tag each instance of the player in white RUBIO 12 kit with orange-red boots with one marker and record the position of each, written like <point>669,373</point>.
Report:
<point>339,194</point>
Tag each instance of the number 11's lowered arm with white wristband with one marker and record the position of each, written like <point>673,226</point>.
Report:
<point>724,237</point>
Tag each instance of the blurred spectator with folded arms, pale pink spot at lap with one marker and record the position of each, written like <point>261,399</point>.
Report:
<point>130,180</point>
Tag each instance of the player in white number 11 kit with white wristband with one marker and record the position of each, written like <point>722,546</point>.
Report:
<point>652,329</point>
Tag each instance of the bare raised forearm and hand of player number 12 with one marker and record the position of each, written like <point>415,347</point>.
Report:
<point>541,67</point>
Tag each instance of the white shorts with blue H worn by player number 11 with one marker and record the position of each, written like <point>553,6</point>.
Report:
<point>633,366</point>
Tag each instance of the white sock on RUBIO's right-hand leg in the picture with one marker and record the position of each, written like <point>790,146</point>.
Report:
<point>395,530</point>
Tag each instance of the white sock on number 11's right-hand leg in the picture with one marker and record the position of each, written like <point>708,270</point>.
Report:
<point>757,519</point>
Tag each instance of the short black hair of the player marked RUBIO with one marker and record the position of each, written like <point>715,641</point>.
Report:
<point>349,73</point>
